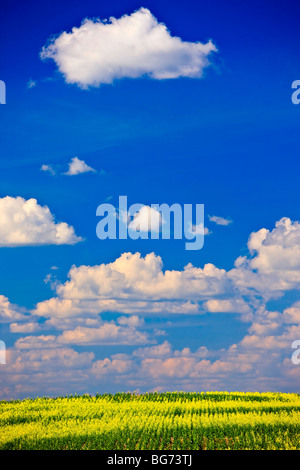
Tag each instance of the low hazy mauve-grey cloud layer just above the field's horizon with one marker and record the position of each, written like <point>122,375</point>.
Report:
<point>261,361</point>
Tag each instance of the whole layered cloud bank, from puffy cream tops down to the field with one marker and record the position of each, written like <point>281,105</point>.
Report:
<point>260,361</point>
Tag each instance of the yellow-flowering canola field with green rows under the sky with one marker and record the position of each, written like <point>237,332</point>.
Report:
<point>154,421</point>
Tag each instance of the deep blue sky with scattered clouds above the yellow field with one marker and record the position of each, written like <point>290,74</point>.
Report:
<point>228,139</point>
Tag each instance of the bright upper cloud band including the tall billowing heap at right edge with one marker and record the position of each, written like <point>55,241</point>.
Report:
<point>134,284</point>
